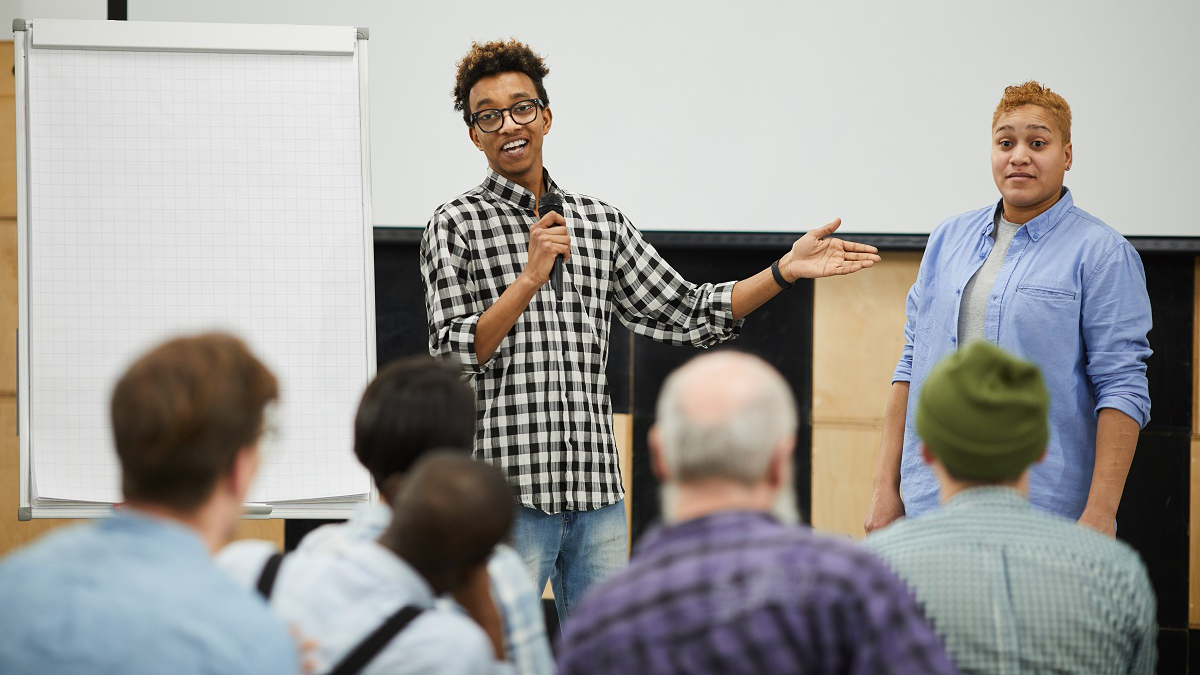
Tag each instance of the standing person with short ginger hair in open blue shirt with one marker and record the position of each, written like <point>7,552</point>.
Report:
<point>1045,280</point>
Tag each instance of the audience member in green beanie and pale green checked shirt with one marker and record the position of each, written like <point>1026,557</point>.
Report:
<point>1011,589</point>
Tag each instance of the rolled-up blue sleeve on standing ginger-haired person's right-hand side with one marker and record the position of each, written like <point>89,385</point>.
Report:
<point>1117,319</point>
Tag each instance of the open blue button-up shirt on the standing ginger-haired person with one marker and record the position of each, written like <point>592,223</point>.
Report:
<point>1072,298</point>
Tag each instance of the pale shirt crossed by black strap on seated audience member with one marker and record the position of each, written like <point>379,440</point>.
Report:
<point>338,599</point>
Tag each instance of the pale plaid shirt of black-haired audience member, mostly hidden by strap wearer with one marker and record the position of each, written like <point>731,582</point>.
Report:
<point>520,605</point>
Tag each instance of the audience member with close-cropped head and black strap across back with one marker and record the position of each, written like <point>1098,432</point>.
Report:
<point>449,516</point>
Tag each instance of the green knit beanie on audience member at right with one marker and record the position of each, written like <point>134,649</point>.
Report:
<point>983,414</point>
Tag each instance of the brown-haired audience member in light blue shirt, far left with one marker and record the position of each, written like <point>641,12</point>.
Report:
<point>139,594</point>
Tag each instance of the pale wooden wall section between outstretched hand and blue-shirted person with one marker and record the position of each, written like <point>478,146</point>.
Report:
<point>857,337</point>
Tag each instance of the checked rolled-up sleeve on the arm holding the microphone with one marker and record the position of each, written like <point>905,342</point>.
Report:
<point>452,303</point>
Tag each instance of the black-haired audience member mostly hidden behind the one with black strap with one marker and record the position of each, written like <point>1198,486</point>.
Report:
<point>415,407</point>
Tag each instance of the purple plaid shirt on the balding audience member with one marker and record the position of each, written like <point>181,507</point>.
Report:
<point>740,593</point>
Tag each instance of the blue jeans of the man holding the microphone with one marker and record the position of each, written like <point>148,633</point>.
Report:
<point>574,549</point>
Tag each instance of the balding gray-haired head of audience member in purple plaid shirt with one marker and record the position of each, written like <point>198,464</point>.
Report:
<point>724,416</point>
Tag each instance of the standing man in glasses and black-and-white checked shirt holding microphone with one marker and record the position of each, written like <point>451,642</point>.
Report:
<point>538,363</point>
